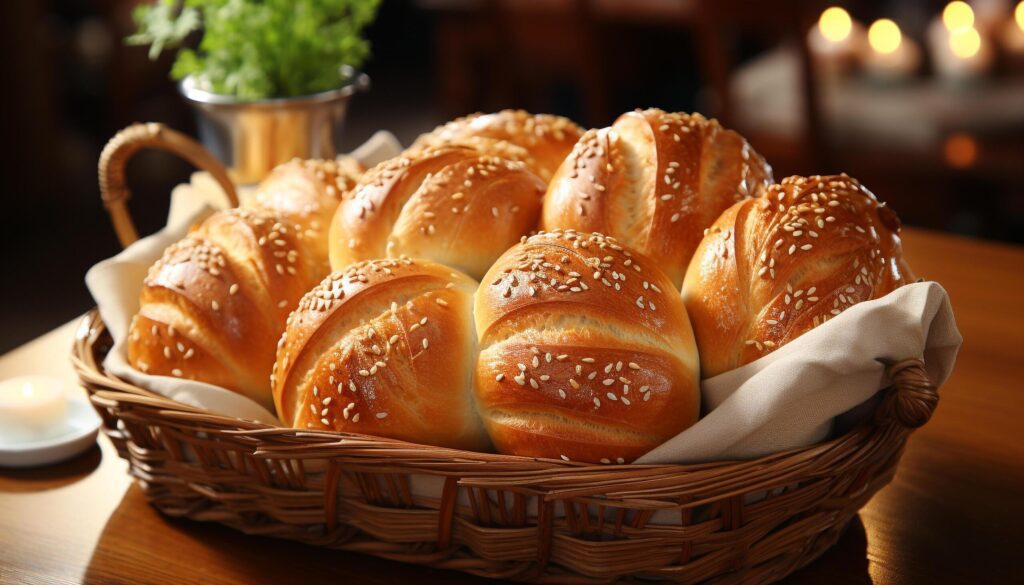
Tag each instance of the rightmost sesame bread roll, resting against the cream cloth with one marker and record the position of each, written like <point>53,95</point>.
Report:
<point>772,269</point>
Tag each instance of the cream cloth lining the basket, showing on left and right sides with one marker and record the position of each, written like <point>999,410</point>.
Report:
<point>788,399</point>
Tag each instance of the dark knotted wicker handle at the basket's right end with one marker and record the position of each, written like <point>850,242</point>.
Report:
<point>913,398</point>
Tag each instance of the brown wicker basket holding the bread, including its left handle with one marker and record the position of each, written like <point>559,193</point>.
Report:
<point>496,516</point>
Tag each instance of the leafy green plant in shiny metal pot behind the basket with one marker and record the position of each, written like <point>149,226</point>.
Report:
<point>271,79</point>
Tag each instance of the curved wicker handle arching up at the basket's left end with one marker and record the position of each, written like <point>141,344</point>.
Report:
<point>149,136</point>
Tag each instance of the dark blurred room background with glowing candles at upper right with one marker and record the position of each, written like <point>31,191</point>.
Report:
<point>928,113</point>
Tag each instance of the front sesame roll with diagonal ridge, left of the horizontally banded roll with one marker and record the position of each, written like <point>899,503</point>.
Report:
<point>387,348</point>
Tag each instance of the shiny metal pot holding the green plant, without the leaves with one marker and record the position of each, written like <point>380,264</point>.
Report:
<point>252,138</point>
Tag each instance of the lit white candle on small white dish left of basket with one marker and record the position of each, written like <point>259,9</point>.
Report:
<point>32,408</point>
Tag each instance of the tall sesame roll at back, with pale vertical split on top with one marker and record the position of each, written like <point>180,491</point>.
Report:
<point>655,181</point>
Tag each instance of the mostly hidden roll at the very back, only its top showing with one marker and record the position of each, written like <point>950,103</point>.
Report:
<point>547,140</point>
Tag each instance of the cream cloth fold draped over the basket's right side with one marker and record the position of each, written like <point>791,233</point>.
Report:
<point>791,397</point>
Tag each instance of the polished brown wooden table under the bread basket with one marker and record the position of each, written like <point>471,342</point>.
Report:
<point>954,515</point>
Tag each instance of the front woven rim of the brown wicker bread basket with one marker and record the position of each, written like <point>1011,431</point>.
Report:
<point>92,328</point>
